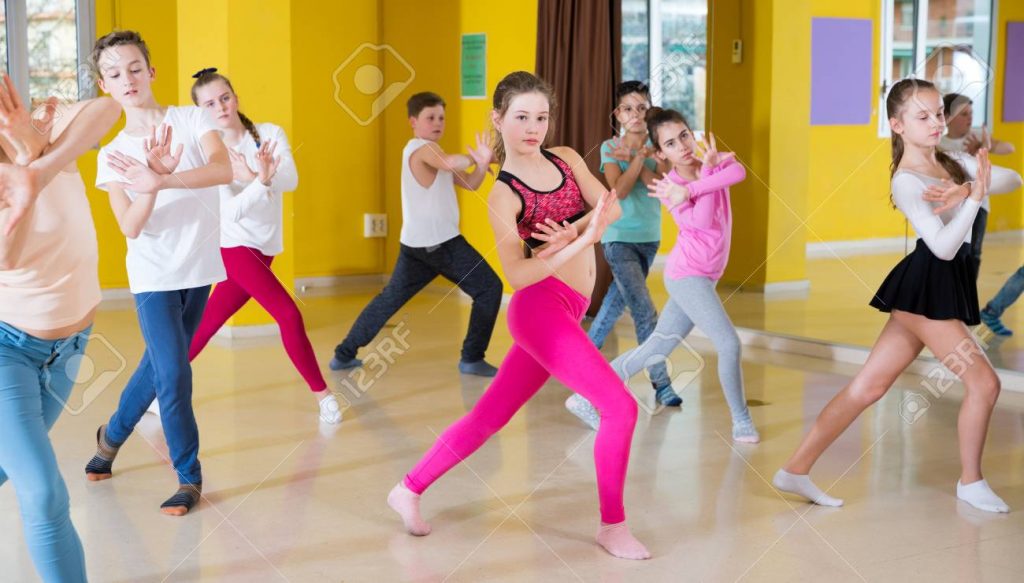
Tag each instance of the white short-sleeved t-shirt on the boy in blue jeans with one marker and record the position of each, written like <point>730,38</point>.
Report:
<point>180,246</point>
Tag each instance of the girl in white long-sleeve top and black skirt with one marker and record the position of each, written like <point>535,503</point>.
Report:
<point>931,296</point>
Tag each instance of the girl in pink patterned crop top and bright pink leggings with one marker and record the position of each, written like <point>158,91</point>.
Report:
<point>540,198</point>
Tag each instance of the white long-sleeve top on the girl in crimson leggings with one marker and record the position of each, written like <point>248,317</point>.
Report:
<point>251,215</point>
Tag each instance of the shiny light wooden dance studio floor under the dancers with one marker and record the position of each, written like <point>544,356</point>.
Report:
<point>287,503</point>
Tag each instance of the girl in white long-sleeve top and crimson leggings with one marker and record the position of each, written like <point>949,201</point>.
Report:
<point>251,232</point>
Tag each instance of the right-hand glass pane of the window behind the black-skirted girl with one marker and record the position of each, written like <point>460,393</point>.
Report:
<point>957,50</point>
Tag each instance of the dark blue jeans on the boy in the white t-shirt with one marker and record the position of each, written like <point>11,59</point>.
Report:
<point>168,321</point>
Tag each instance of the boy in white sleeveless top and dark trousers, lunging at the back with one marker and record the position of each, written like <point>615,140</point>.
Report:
<point>432,244</point>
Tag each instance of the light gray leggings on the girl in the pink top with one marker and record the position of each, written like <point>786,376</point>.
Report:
<point>693,302</point>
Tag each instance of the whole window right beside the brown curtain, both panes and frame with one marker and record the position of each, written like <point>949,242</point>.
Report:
<point>665,43</point>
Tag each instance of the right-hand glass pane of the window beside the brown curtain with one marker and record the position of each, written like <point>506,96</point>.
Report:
<point>684,71</point>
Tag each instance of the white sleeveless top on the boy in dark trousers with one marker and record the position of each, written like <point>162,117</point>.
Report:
<point>430,216</point>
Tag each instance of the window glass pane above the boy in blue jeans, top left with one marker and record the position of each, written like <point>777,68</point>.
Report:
<point>53,34</point>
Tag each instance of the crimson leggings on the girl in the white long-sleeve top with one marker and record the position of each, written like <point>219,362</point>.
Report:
<point>249,275</point>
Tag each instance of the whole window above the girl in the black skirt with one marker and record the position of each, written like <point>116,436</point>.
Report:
<point>948,43</point>
